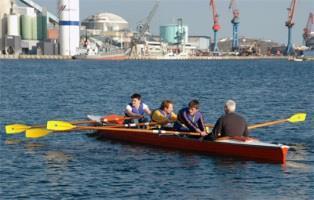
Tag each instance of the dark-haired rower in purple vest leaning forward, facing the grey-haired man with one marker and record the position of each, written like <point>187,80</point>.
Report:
<point>190,119</point>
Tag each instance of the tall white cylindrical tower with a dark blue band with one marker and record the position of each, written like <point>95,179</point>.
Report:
<point>69,27</point>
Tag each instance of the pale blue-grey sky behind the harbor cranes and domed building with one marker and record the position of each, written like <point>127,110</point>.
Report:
<point>261,19</point>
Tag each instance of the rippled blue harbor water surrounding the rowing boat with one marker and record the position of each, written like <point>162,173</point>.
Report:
<point>75,166</point>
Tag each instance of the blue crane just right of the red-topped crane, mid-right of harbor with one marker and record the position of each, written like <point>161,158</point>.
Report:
<point>235,22</point>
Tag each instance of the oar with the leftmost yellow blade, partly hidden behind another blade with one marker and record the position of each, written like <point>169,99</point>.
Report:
<point>19,128</point>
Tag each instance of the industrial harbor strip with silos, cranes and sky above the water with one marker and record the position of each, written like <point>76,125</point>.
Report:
<point>163,30</point>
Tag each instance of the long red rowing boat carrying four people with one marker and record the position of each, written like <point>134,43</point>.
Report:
<point>241,147</point>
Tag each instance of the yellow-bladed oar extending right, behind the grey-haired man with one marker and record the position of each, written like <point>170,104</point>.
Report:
<point>298,117</point>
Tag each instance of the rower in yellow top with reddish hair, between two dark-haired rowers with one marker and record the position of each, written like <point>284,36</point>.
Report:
<point>164,116</point>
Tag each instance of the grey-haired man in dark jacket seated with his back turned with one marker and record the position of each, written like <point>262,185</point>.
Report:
<point>230,124</point>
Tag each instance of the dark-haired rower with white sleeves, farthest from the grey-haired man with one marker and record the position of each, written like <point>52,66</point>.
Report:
<point>136,109</point>
